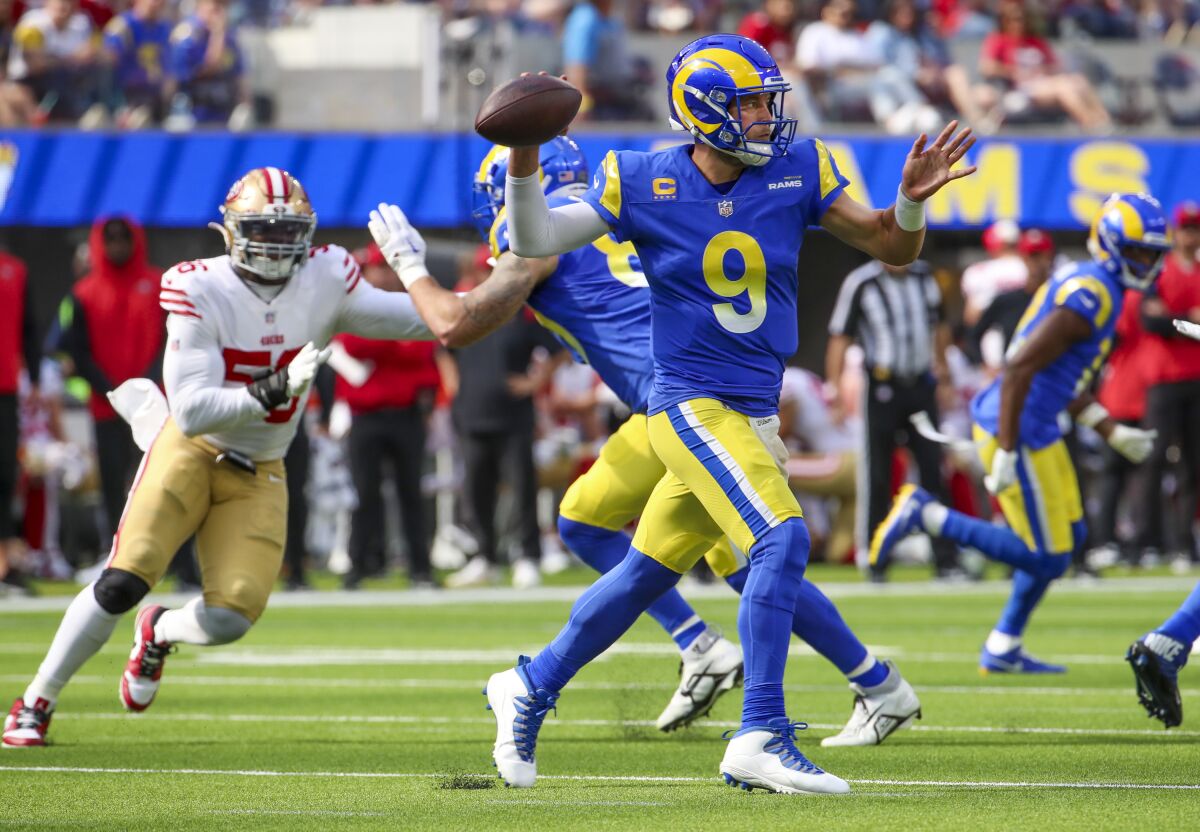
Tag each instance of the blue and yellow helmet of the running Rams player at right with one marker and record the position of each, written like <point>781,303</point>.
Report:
<point>1131,240</point>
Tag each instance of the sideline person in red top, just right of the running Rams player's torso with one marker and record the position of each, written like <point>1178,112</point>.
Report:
<point>1124,393</point>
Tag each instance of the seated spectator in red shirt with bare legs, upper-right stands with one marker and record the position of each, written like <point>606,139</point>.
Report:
<point>1024,63</point>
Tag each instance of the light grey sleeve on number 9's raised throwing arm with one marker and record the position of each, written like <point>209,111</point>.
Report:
<point>537,231</point>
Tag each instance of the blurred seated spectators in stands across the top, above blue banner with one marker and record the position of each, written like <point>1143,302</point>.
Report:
<point>182,63</point>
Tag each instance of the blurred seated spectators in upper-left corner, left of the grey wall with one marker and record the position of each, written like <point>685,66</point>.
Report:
<point>129,65</point>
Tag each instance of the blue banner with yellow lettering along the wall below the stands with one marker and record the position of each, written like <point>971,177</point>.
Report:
<point>178,181</point>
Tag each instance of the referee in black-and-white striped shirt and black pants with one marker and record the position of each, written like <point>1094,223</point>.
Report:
<point>896,314</point>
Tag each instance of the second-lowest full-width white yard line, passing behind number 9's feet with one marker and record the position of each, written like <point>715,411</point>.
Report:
<point>411,720</point>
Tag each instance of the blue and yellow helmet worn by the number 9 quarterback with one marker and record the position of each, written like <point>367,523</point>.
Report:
<point>706,85</point>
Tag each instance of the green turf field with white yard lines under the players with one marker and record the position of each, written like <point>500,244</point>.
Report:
<point>369,715</point>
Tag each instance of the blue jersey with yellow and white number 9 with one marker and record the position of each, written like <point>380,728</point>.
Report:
<point>721,264</point>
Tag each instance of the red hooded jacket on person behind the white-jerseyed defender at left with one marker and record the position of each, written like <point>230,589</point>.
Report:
<point>125,324</point>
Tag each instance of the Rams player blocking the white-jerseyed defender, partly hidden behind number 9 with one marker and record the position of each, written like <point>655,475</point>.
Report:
<point>597,302</point>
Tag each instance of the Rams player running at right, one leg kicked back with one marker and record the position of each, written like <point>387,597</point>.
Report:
<point>1059,348</point>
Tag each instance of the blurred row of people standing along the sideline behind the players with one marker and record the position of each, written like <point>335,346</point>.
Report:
<point>451,465</point>
